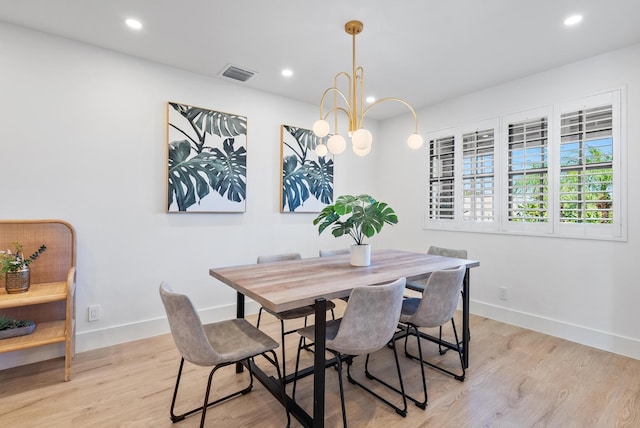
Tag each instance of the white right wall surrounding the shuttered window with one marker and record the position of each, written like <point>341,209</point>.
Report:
<point>583,290</point>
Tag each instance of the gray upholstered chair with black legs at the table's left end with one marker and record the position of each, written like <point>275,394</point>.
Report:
<point>216,345</point>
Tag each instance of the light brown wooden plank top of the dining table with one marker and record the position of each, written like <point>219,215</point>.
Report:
<point>291,284</point>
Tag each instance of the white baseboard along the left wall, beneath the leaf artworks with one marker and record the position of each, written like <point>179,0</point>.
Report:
<point>109,336</point>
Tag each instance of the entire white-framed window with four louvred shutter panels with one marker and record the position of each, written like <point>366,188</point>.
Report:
<point>552,171</point>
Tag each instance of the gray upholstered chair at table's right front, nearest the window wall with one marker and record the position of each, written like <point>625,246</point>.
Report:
<point>436,307</point>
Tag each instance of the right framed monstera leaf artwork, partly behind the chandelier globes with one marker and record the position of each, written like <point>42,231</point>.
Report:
<point>306,178</point>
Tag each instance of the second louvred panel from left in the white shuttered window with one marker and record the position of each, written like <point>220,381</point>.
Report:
<point>478,182</point>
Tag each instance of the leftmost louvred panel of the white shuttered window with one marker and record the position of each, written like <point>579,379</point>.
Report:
<point>441,178</point>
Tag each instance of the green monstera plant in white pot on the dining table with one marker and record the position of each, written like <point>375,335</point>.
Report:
<point>359,217</point>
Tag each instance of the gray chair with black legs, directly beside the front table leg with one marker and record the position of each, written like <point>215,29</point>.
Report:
<point>368,325</point>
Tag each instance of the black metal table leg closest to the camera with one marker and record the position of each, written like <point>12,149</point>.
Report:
<point>319,362</point>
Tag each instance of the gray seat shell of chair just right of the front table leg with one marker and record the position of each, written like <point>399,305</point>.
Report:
<point>370,319</point>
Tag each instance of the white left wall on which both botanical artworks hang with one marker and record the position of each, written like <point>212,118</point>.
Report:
<point>83,139</point>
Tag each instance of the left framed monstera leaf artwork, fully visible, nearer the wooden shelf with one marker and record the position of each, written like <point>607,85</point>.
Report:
<point>207,160</point>
